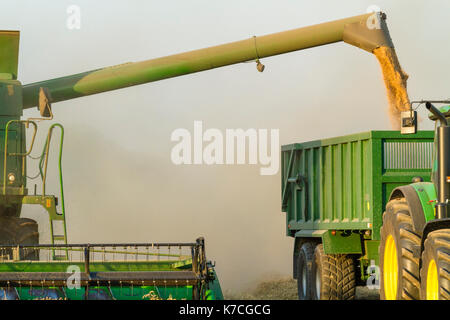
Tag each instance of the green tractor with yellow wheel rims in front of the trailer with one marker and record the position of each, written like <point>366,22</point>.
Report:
<point>415,236</point>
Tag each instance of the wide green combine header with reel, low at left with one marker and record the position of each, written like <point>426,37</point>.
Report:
<point>123,271</point>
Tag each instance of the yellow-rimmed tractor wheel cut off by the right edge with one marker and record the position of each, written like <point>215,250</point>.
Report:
<point>435,271</point>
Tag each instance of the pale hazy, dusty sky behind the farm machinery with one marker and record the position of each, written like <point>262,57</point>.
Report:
<point>120,182</point>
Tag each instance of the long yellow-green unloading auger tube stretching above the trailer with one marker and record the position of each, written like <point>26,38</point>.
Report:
<point>368,32</point>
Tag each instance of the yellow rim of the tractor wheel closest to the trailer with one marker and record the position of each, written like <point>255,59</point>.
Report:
<point>390,269</point>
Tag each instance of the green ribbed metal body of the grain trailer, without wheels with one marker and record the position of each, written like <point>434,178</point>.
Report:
<point>344,184</point>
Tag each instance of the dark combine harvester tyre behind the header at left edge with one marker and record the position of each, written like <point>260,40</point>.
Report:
<point>15,231</point>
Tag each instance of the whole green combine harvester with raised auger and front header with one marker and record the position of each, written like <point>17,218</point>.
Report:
<point>101,265</point>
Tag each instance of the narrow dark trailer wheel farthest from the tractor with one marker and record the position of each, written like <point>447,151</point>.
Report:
<point>304,266</point>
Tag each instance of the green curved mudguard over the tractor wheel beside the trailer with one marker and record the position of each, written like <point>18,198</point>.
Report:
<point>420,197</point>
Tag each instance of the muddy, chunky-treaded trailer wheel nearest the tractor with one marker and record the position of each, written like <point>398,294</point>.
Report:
<point>333,276</point>
